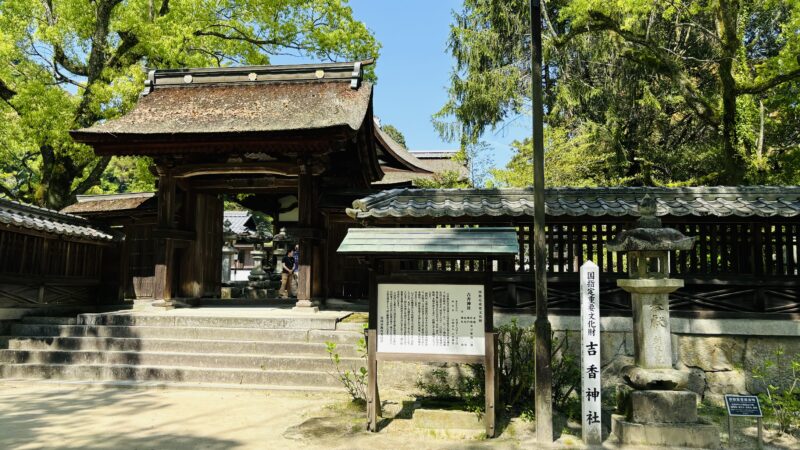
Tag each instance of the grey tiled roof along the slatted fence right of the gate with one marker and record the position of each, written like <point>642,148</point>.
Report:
<point>742,201</point>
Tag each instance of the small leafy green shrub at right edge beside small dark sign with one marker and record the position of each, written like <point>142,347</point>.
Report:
<point>780,399</point>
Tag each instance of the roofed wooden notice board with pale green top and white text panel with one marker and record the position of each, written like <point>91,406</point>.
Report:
<point>431,315</point>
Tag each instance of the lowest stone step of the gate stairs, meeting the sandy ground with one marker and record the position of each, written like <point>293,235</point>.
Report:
<point>99,372</point>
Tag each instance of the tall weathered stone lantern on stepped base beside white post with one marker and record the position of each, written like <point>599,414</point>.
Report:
<point>654,406</point>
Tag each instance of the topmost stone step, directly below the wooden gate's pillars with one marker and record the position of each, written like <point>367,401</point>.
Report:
<point>313,322</point>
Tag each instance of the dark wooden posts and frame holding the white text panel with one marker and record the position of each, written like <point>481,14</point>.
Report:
<point>489,359</point>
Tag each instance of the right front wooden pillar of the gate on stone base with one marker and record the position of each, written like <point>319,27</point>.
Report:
<point>306,203</point>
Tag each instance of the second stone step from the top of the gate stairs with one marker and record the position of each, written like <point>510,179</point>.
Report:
<point>147,332</point>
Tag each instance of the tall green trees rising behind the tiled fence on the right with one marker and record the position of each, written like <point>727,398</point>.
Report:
<point>637,92</point>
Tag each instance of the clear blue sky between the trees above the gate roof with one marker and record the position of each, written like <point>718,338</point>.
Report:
<point>414,71</point>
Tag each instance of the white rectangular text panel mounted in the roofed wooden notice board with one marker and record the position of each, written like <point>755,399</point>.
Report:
<point>440,319</point>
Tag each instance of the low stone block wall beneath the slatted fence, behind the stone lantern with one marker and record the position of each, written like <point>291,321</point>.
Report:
<point>720,354</point>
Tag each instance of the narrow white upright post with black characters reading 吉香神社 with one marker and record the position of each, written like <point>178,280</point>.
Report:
<point>590,353</point>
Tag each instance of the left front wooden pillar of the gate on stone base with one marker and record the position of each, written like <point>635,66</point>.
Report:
<point>165,247</point>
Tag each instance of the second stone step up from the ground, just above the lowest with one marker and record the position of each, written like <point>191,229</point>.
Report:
<point>196,360</point>
